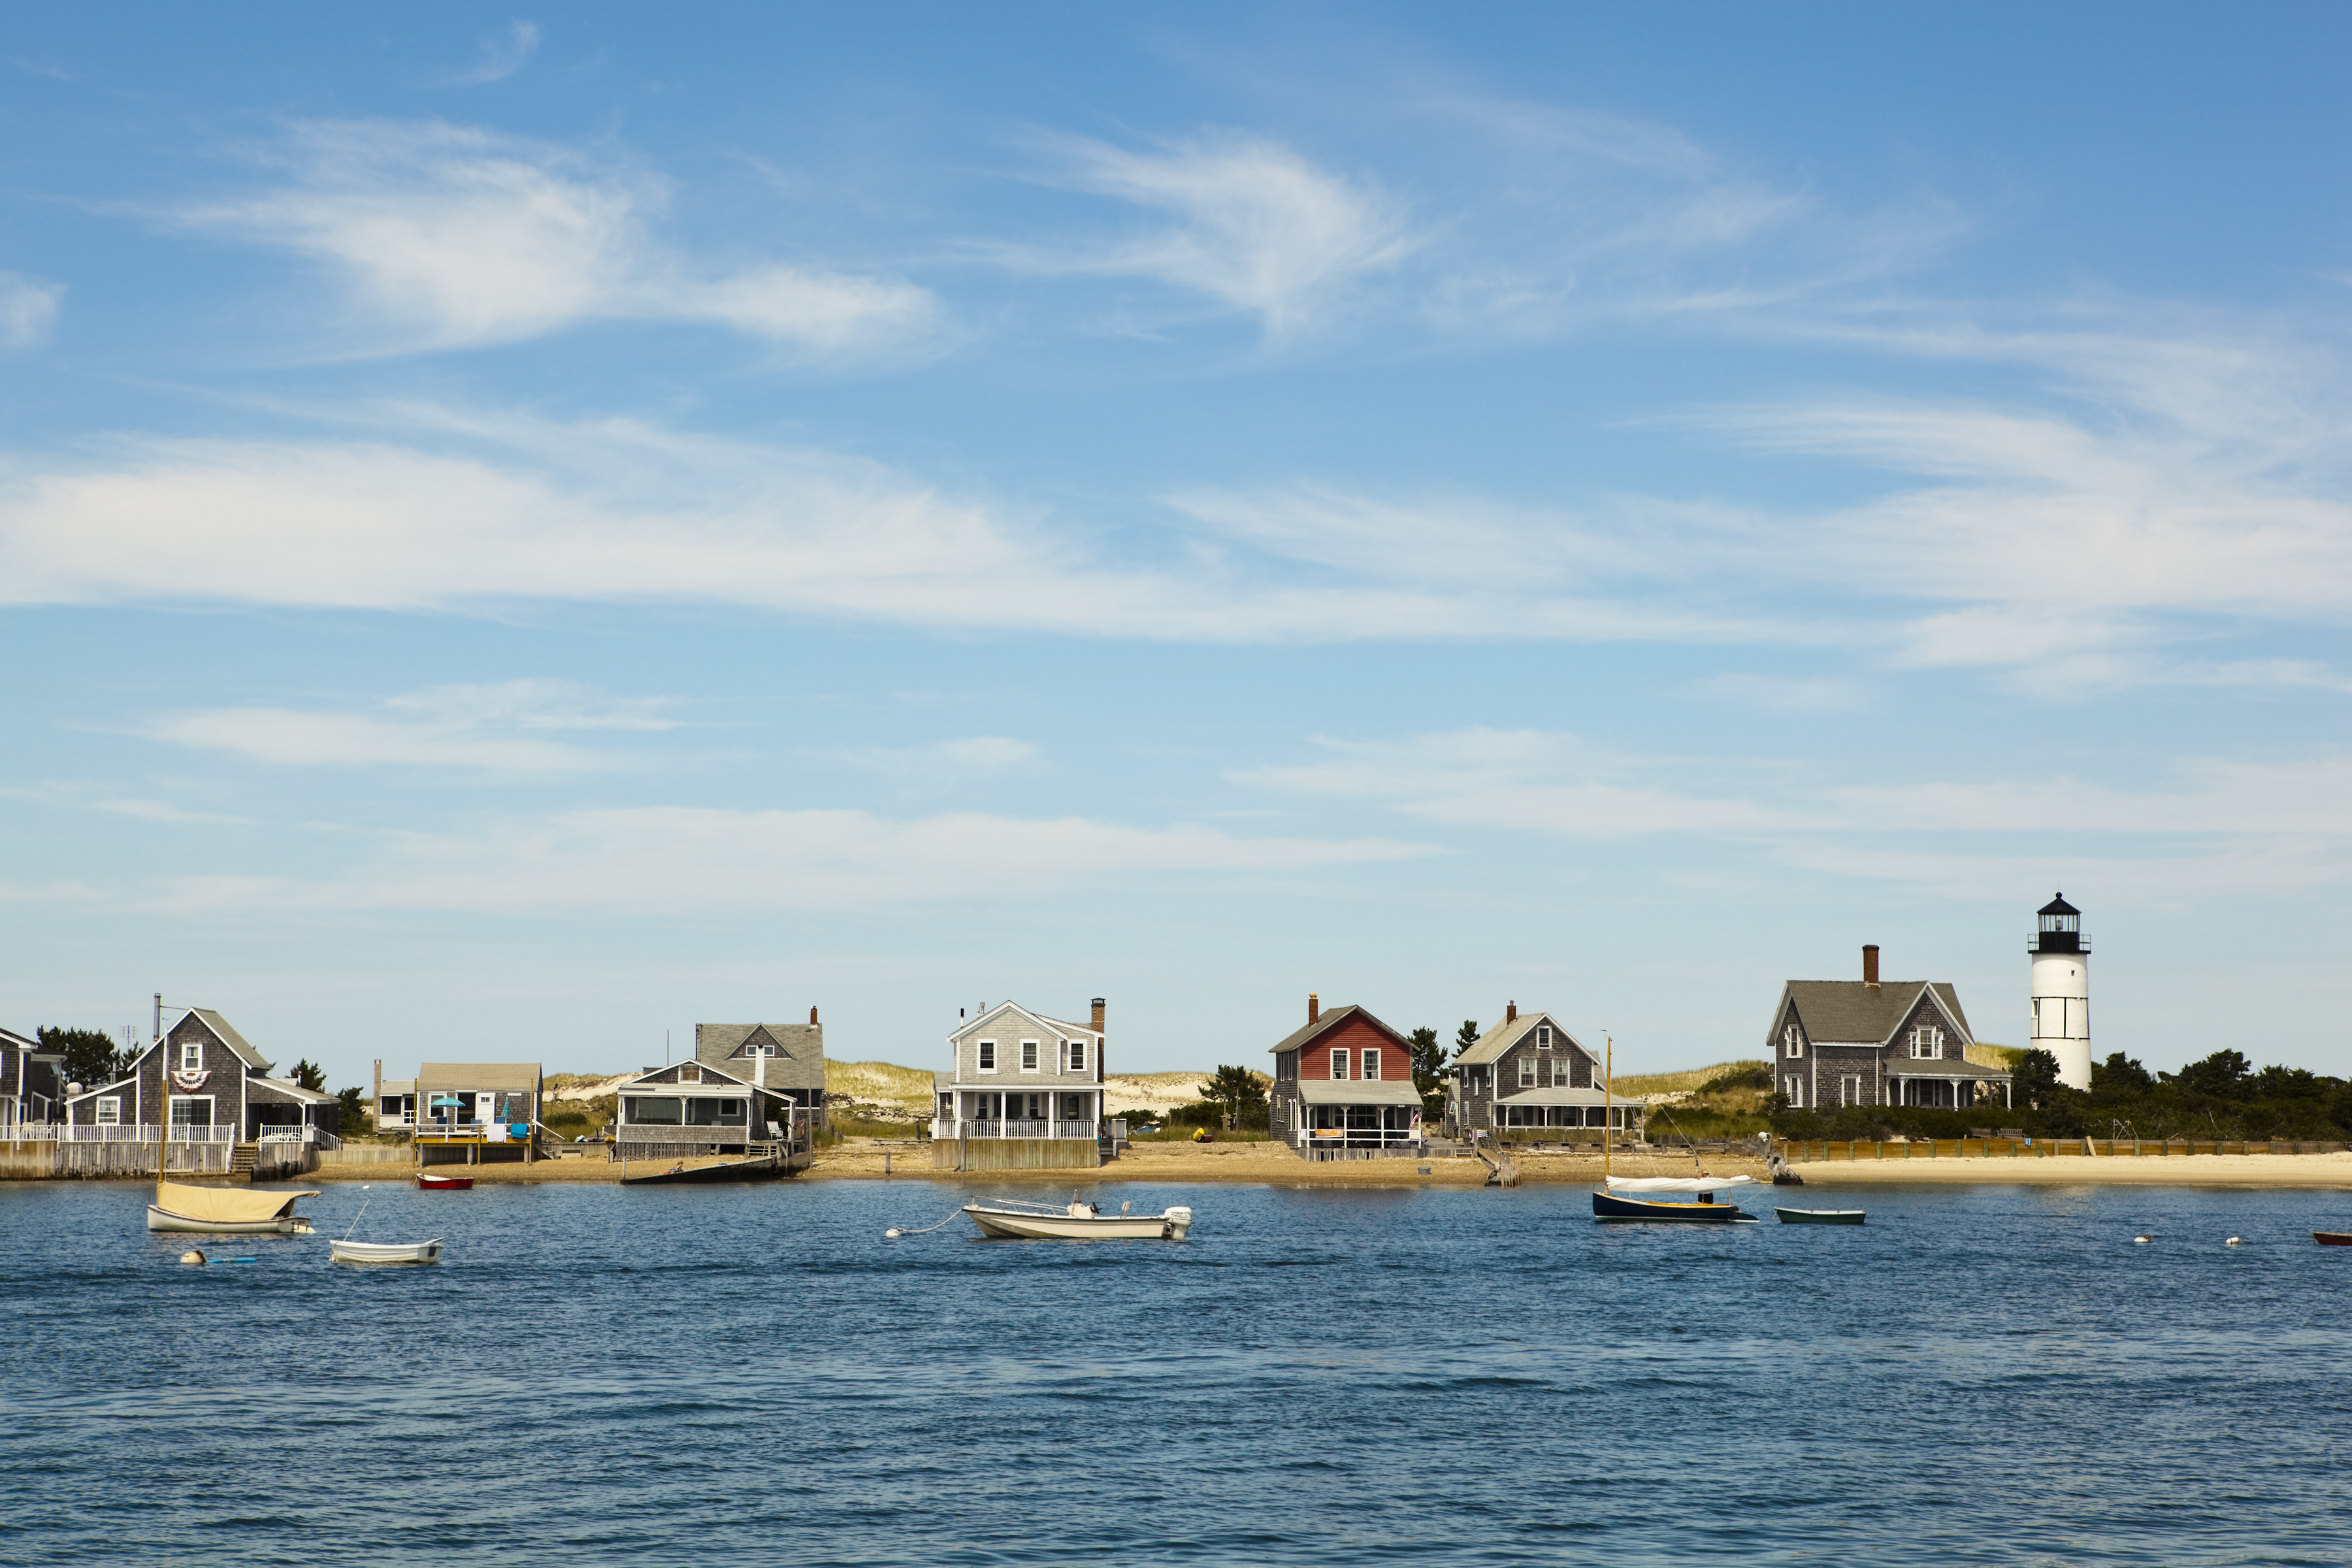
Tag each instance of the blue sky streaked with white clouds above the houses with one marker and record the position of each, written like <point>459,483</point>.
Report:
<point>530,530</point>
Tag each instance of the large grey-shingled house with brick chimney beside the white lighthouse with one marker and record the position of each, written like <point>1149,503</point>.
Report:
<point>1869,1043</point>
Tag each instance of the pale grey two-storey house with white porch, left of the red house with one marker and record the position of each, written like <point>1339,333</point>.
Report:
<point>1024,1094</point>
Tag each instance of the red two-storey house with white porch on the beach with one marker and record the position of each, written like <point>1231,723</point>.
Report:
<point>1344,1085</point>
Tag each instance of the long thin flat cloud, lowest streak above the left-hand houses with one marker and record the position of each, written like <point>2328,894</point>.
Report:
<point>679,859</point>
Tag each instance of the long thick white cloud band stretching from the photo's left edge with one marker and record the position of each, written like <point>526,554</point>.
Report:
<point>472,511</point>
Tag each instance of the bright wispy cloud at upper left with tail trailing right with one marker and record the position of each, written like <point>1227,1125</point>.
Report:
<point>453,239</point>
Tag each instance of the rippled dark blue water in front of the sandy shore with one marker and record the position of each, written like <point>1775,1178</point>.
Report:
<point>1318,1376</point>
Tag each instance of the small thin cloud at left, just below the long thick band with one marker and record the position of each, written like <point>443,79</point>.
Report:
<point>500,730</point>
